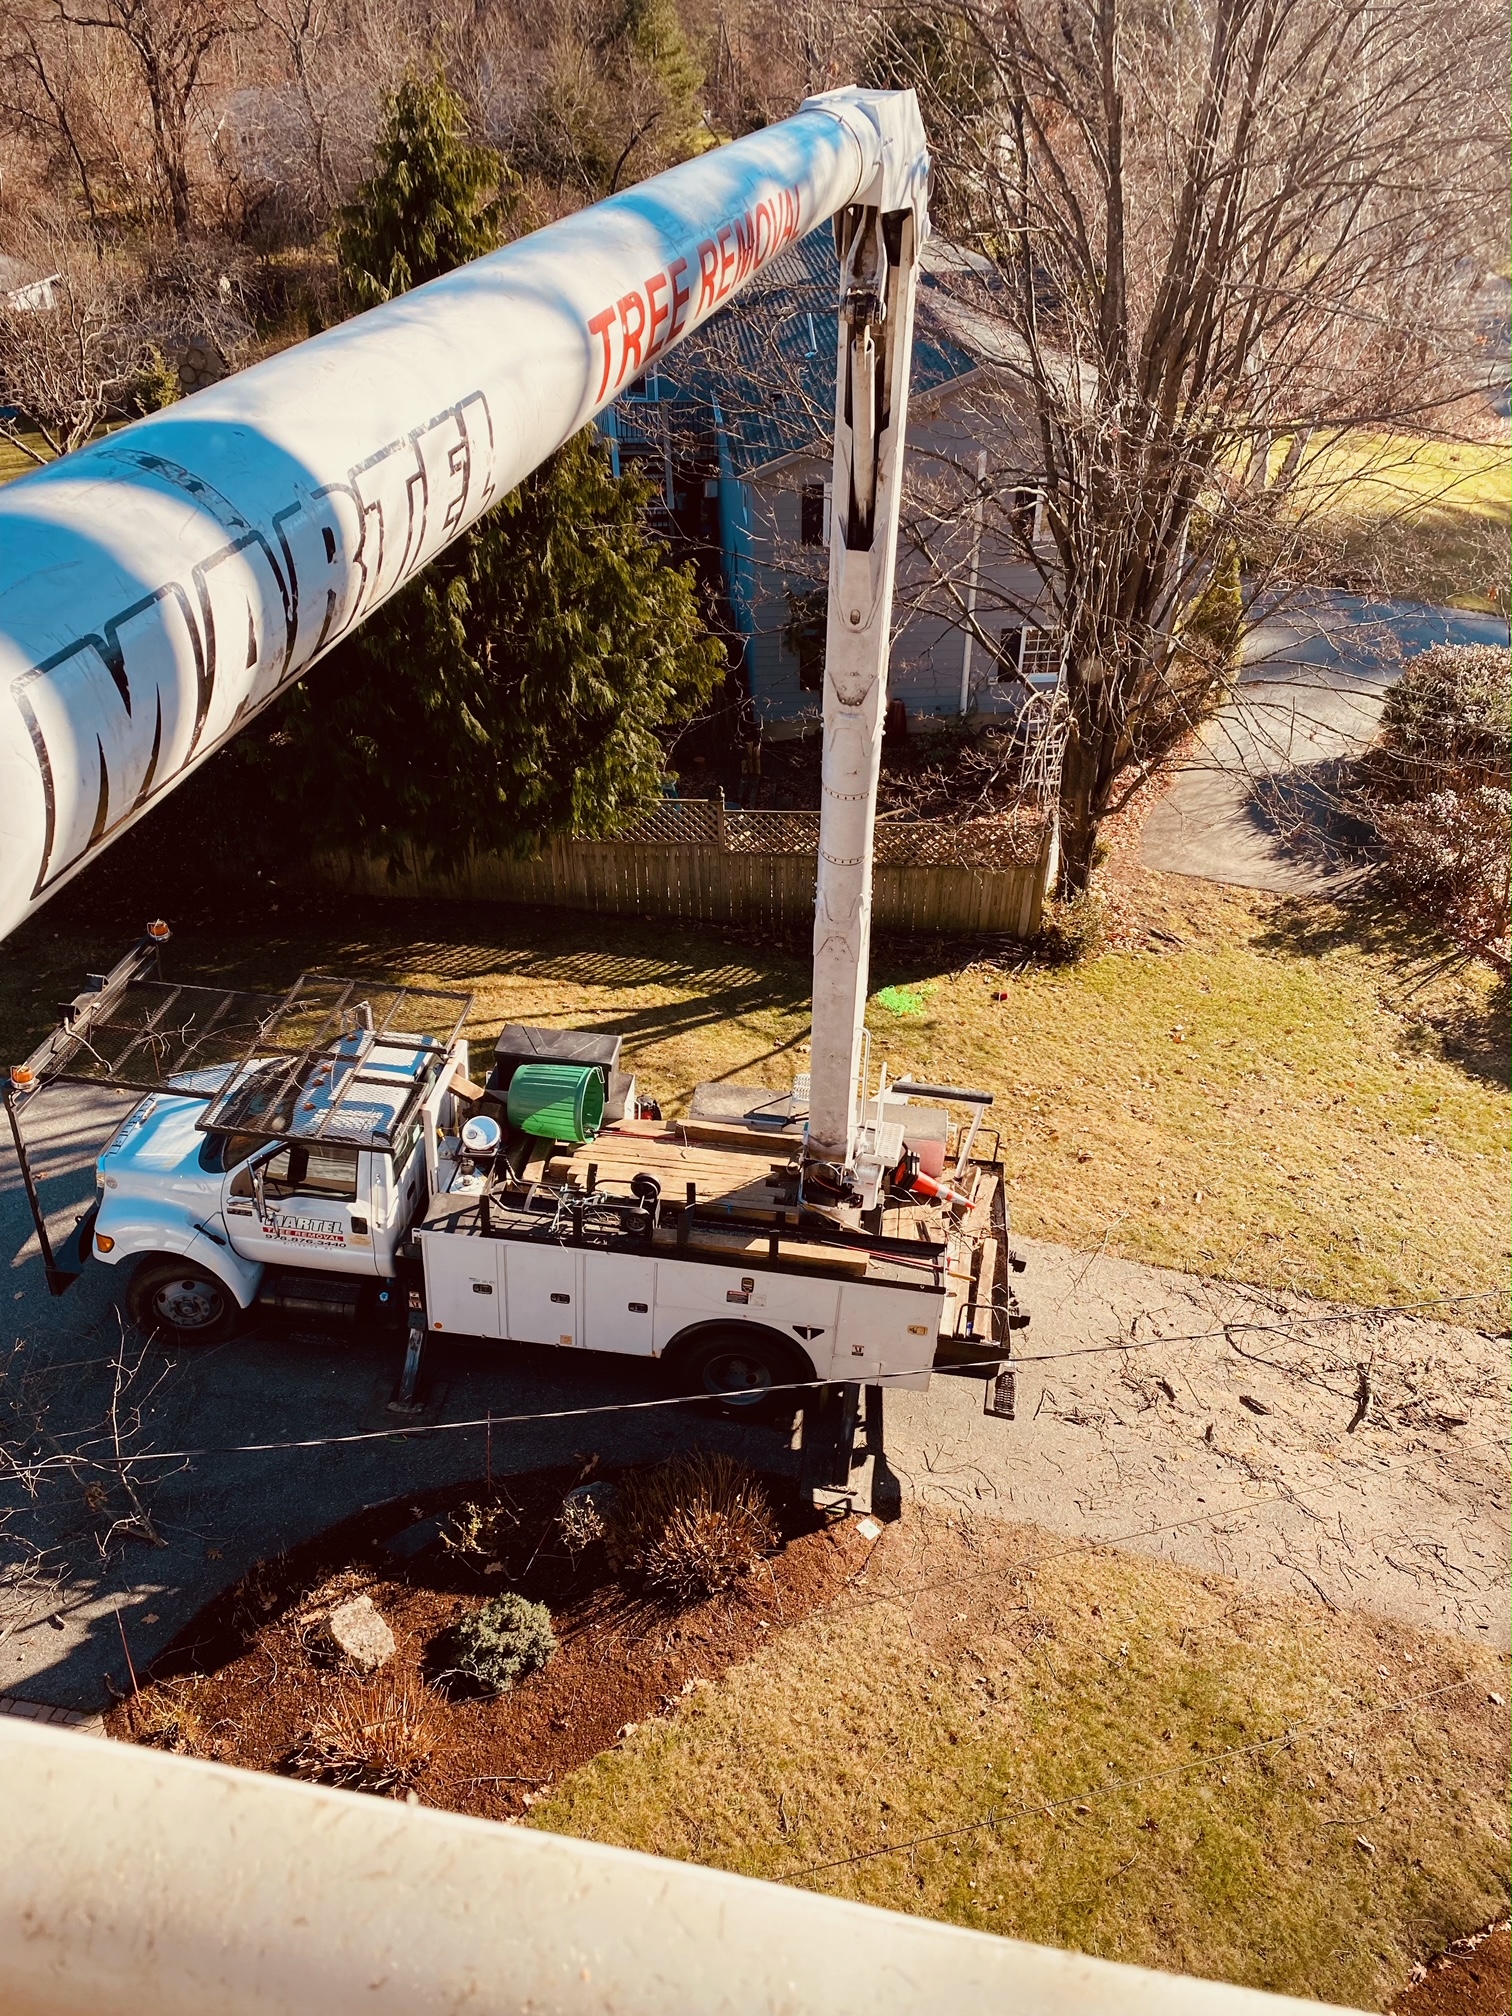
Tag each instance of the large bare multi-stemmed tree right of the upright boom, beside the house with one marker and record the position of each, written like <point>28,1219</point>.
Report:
<point>1219,239</point>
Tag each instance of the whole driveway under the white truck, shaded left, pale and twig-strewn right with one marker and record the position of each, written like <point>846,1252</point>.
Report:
<point>1118,1440</point>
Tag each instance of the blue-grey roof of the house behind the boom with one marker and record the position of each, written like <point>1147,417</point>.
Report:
<point>765,368</point>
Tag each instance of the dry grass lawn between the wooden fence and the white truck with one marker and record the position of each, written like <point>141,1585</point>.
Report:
<point>1279,1094</point>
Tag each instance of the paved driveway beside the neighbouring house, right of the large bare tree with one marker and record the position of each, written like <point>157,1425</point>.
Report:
<point>1259,803</point>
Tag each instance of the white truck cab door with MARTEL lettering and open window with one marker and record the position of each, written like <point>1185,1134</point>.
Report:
<point>303,1205</point>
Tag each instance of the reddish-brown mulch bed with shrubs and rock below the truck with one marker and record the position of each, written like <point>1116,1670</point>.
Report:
<point>245,1682</point>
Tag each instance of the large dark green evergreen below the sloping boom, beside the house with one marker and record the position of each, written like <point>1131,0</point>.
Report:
<point>515,690</point>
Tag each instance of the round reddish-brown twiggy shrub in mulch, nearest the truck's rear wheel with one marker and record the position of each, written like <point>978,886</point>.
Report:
<point>692,1527</point>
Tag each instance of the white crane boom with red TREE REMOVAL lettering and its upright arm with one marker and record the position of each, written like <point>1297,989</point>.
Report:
<point>164,586</point>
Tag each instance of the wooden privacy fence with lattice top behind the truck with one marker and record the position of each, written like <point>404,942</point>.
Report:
<point>711,864</point>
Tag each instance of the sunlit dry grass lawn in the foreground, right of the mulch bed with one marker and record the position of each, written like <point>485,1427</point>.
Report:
<point>1096,1753</point>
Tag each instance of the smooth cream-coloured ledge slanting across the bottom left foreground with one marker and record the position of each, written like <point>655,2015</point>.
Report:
<point>146,1882</point>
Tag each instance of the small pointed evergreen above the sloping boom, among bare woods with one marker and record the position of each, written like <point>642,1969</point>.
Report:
<point>432,203</point>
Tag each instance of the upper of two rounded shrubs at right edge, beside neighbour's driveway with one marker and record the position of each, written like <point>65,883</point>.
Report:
<point>1448,721</point>
